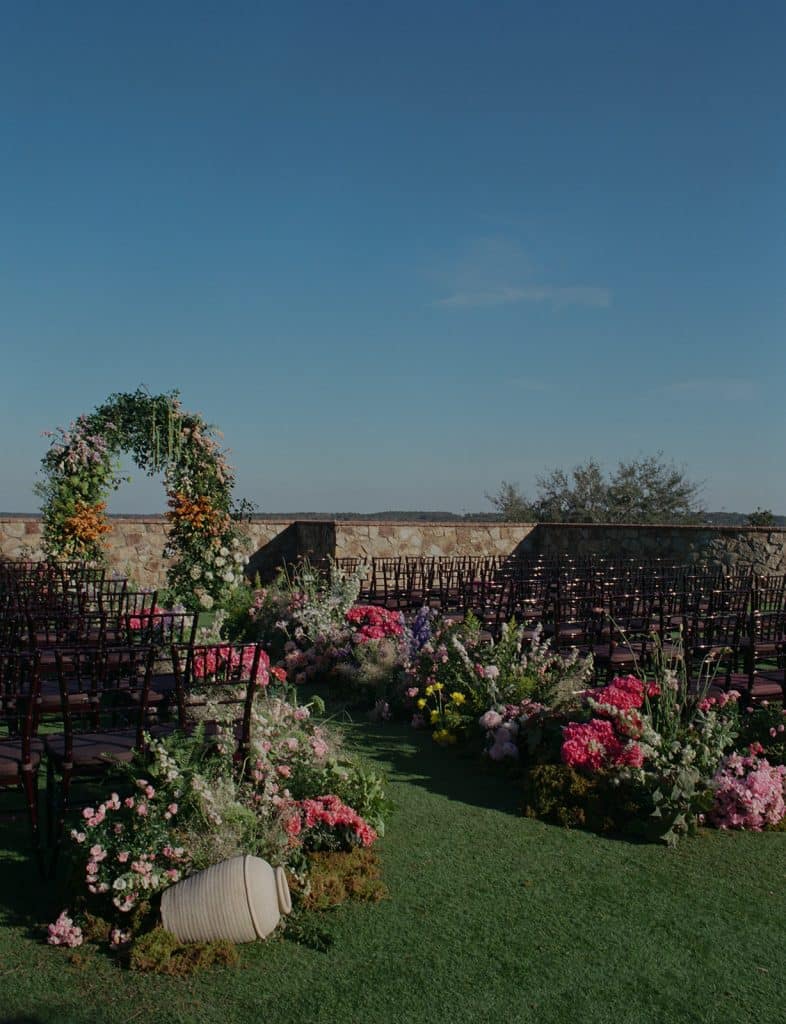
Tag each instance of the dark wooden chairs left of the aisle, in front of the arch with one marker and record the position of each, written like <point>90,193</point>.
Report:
<point>81,690</point>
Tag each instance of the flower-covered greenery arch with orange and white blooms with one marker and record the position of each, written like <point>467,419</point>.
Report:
<point>81,468</point>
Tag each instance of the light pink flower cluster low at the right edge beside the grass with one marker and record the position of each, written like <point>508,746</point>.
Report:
<point>749,792</point>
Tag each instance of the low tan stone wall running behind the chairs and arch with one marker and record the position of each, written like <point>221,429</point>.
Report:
<point>137,543</point>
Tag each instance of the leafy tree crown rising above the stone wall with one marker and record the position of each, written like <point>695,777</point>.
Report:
<point>647,490</point>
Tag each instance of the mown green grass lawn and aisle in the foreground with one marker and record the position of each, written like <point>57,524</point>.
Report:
<point>492,918</point>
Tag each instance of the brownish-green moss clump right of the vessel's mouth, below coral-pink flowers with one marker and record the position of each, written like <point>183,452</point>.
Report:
<point>336,878</point>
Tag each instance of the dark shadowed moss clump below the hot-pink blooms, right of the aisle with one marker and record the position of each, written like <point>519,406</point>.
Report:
<point>560,794</point>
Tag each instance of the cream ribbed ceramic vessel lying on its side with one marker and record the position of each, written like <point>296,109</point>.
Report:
<point>241,900</point>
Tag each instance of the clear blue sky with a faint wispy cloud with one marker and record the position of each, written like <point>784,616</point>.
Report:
<point>400,252</point>
